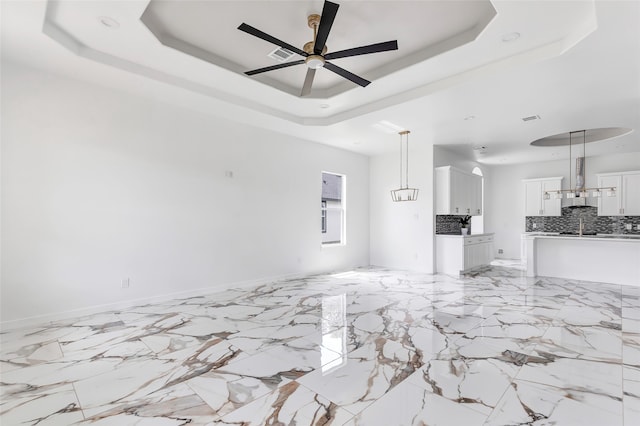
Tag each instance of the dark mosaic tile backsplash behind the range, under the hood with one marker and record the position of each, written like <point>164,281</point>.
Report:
<point>570,222</point>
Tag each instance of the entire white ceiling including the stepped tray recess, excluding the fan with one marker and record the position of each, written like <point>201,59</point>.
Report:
<point>576,65</point>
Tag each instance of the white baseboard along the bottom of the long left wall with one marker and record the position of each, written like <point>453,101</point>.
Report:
<point>41,320</point>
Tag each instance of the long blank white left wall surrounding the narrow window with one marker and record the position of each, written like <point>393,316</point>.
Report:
<point>99,186</point>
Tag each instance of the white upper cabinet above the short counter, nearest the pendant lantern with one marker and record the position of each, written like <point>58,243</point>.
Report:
<point>458,192</point>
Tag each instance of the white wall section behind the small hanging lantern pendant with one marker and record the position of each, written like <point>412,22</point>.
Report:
<point>402,233</point>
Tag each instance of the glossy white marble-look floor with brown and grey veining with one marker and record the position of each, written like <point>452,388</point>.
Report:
<point>367,347</point>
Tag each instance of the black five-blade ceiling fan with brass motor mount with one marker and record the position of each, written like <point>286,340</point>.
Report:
<point>315,52</point>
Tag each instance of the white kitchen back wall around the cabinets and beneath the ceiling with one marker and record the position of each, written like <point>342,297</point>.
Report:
<point>506,197</point>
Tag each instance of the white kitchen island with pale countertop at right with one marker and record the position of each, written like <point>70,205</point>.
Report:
<point>601,258</point>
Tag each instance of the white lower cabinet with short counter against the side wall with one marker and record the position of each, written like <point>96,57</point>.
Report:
<point>456,254</point>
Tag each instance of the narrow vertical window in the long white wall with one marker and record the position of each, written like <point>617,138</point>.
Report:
<point>333,208</point>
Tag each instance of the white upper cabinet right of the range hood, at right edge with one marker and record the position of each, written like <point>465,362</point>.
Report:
<point>627,199</point>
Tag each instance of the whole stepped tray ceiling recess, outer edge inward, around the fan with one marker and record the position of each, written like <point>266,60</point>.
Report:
<point>196,46</point>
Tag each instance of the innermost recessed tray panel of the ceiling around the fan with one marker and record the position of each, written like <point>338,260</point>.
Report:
<point>208,30</point>
